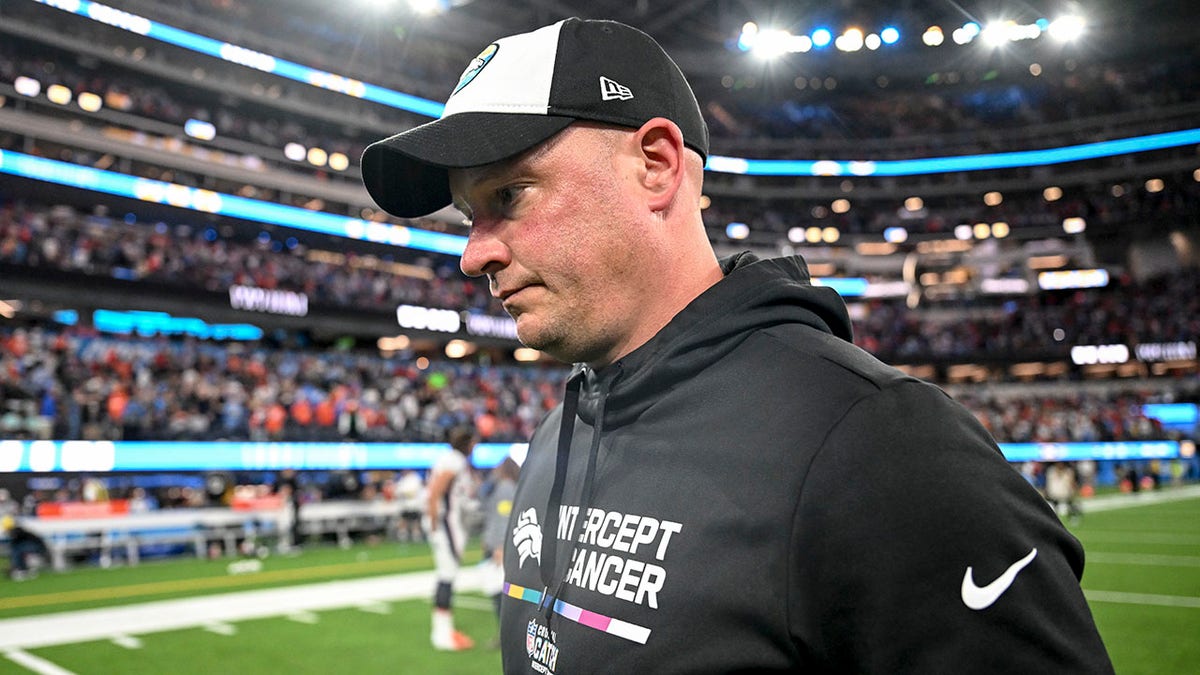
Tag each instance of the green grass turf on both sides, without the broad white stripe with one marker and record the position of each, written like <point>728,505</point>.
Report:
<point>1144,553</point>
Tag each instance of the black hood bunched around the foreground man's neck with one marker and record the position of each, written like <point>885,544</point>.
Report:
<point>755,294</point>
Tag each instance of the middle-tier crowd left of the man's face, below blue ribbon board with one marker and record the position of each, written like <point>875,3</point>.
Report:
<point>200,258</point>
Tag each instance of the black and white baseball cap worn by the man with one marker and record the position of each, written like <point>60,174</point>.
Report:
<point>520,92</point>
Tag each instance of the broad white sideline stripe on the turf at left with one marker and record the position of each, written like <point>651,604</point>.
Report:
<point>106,624</point>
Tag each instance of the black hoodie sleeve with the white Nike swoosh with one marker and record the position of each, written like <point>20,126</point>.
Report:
<point>920,549</point>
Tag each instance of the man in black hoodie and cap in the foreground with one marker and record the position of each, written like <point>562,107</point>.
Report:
<point>730,485</point>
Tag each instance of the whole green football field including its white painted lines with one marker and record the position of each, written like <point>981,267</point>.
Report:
<point>367,610</point>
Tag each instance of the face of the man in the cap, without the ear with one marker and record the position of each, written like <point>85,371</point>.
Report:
<point>553,231</point>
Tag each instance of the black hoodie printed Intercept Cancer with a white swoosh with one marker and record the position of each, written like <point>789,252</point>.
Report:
<point>749,492</point>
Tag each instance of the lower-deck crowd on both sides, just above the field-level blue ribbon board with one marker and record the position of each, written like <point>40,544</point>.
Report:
<point>77,384</point>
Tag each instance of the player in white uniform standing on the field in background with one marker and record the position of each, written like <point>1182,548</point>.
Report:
<point>448,489</point>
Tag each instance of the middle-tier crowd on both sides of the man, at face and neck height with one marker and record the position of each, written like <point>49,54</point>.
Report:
<point>1159,310</point>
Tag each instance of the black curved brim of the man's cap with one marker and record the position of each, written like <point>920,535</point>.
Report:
<point>407,175</point>
